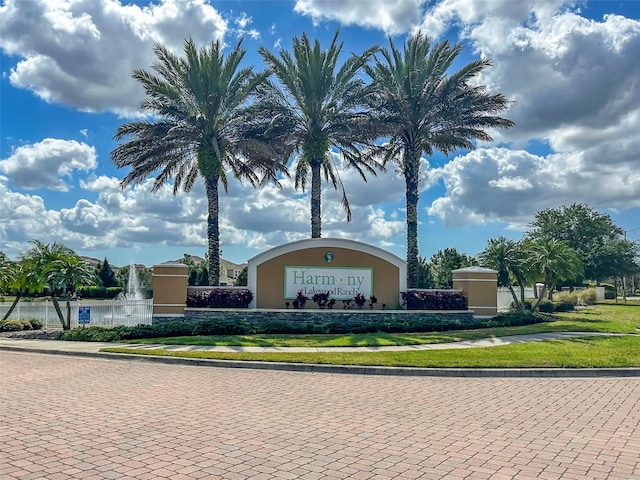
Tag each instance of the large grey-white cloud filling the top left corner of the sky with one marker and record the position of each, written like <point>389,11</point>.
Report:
<point>81,53</point>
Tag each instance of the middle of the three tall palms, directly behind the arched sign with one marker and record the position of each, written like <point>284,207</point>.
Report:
<point>319,106</point>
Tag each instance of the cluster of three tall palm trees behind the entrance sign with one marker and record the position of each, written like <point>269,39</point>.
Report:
<point>212,119</point>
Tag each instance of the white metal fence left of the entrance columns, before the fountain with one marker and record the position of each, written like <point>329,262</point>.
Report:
<point>102,313</point>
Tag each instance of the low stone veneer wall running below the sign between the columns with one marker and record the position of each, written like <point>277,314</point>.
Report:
<point>311,316</point>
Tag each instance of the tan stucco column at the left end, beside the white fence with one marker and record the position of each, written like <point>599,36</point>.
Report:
<point>170,281</point>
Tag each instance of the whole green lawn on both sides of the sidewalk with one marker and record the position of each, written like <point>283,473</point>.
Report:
<point>595,352</point>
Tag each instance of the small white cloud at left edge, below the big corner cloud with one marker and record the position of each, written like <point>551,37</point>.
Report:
<point>44,164</point>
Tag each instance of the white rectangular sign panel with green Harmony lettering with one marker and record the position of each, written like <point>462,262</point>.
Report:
<point>341,283</point>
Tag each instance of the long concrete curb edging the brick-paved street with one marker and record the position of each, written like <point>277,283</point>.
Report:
<point>352,369</point>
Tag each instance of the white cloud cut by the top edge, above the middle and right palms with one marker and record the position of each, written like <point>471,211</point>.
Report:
<point>392,17</point>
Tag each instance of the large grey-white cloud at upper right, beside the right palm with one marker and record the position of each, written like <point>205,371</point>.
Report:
<point>575,82</point>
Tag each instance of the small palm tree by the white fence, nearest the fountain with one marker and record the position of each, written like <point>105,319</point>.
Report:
<point>68,273</point>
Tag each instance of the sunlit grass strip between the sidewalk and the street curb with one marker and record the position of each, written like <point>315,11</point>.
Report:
<point>598,352</point>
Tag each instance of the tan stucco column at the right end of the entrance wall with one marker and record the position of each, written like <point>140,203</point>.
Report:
<point>480,286</point>
